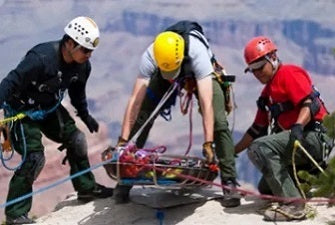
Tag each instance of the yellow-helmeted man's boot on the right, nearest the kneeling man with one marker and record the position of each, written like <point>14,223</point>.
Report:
<point>231,198</point>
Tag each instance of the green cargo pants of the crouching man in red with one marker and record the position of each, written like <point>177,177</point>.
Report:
<point>272,155</point>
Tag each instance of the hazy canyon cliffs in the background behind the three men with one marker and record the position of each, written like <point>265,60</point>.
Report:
<point>303,31</point>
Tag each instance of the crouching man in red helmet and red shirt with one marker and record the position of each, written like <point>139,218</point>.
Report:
<point>291,106</point>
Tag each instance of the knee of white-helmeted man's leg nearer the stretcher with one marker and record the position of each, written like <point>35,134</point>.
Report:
<point>77,144</point>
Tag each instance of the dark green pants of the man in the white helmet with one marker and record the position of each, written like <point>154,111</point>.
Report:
<point>59,127</point>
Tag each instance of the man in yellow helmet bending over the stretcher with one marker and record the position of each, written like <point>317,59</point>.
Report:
<point>172,57</point>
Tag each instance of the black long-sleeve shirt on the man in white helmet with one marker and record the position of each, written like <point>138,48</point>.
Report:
<point>38,79</point>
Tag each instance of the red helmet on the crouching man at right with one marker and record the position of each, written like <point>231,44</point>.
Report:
<point>257,48</point>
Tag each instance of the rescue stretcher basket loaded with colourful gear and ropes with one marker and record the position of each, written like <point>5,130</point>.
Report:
<point>168,171</point>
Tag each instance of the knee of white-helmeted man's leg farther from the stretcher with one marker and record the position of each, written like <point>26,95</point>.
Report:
<point>32,166</point>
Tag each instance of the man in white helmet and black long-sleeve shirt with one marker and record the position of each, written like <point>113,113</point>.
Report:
<point>36,87</point>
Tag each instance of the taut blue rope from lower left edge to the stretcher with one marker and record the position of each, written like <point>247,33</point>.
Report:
<point>61,181</point>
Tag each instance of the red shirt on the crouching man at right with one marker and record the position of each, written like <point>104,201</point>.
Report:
<point>290,83</point>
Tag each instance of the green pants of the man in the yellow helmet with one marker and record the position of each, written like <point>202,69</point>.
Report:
<point>222,135</point>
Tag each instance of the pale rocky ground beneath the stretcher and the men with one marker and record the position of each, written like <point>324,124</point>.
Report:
<point>152,207</point>
